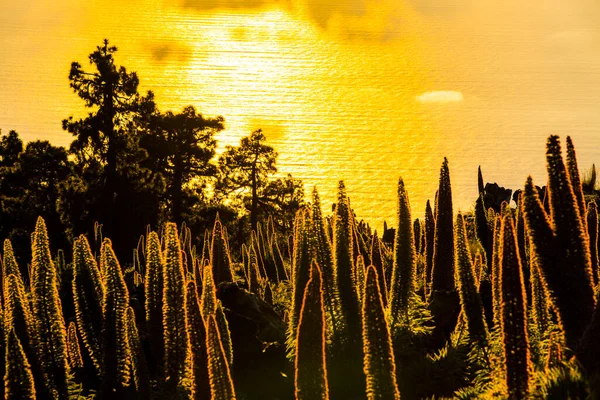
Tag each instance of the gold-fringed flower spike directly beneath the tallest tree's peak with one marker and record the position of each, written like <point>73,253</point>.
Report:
<point>115,343</point>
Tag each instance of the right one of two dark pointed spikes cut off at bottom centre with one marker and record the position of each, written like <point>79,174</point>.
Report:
<point>379,363</point>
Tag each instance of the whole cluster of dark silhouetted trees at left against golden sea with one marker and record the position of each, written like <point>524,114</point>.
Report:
<point>131,166</point>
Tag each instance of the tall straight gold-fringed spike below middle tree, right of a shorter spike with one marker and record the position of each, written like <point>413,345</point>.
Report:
<point>176,340</point>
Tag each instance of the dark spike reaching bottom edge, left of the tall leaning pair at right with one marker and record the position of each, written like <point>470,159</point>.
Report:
<point>514,315</point>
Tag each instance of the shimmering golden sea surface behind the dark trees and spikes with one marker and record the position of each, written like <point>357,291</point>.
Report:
<point>364,91</point>
